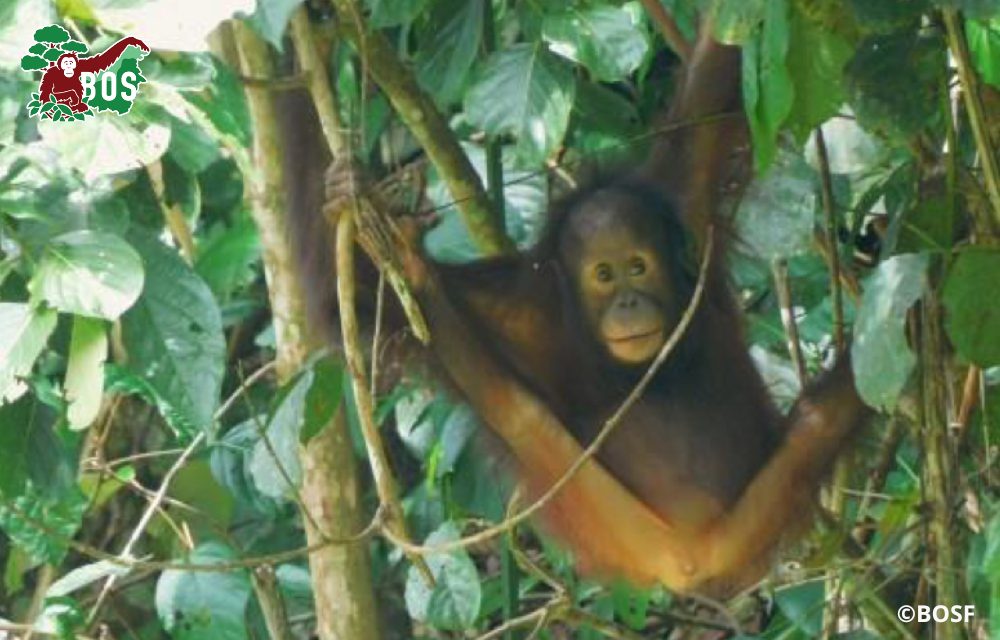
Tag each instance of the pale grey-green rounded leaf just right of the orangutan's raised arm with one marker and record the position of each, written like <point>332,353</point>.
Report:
<point>777,214</point>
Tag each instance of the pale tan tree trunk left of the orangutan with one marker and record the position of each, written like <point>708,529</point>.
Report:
<point>331,496</point>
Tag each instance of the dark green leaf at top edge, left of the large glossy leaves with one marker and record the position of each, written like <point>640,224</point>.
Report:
<point>449,44</point>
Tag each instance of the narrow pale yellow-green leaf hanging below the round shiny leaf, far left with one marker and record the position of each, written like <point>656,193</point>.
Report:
<point>88,349</point>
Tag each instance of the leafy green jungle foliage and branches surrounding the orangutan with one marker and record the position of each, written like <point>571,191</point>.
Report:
<point>182,459</point>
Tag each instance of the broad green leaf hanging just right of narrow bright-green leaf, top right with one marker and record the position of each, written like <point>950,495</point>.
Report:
<point>816,62</point>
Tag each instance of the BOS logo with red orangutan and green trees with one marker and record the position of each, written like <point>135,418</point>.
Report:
<point>75,85</point>
